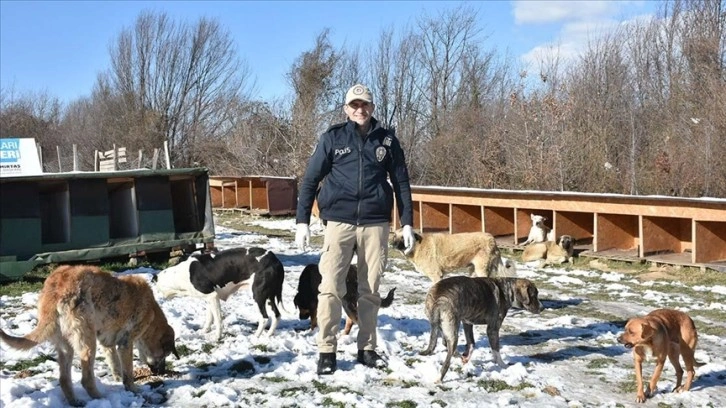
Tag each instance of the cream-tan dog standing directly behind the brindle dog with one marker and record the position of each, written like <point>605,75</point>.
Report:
<point>437,254</point>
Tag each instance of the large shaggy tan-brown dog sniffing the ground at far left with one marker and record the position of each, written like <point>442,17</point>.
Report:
<point>81,305</point>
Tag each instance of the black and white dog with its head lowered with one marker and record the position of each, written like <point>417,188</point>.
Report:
<point>217,276</point>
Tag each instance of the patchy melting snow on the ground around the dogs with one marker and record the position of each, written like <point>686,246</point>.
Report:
<point>567,356</point>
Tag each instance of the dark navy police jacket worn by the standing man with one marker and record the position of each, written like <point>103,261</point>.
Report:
<point>355,172</point>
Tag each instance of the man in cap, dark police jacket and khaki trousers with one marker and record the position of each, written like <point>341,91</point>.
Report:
<point>355,160</point>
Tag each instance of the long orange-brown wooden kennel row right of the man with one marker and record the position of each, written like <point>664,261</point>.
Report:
<point>660,229</point>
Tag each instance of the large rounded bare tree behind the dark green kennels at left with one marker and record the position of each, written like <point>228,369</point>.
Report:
<point>177,81</point>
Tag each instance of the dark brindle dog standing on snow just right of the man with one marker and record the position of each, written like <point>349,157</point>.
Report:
<point>458,299</point>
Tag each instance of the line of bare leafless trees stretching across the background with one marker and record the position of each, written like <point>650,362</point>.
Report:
<point>641,111</point>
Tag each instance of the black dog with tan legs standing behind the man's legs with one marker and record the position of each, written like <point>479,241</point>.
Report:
<point>306,299</point>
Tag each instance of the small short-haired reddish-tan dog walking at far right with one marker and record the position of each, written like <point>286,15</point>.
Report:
<point>667,333</point>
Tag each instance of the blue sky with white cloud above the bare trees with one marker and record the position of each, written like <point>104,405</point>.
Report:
<point>59,47</point>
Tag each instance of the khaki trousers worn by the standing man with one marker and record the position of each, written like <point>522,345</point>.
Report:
<point>371,245</point>
